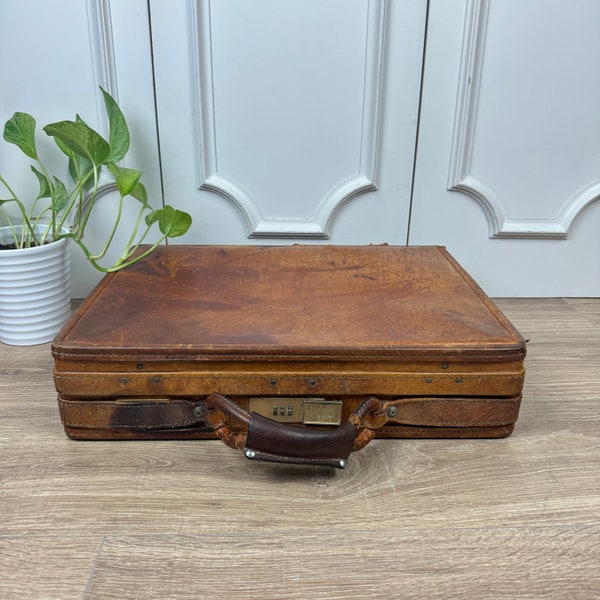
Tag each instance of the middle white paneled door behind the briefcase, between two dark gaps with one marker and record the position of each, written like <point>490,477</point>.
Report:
<point>289,120</point>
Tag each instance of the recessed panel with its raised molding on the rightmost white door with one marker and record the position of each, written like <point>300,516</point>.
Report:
<point>517,148</point>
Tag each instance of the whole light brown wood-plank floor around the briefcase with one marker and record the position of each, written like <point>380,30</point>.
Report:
<point>512,518</point>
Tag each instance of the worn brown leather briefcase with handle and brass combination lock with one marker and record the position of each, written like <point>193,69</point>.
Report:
<point>290,353</point>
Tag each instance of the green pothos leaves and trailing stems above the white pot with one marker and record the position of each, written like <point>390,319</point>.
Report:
<point>64,211</point>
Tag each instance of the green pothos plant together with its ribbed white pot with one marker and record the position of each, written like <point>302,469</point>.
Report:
<point>35,235</point>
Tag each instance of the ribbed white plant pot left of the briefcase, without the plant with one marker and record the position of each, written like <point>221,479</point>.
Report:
<point>35,291</point>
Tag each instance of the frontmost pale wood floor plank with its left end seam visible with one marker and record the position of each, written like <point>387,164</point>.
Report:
<point>502,563</point>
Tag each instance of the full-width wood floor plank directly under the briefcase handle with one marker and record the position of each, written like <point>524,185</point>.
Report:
<point>110,487</point>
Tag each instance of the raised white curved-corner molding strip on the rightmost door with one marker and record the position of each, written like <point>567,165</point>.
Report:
<point>461,177</point>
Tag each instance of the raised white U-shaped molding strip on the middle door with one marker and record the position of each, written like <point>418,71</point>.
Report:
<point>366,179</point>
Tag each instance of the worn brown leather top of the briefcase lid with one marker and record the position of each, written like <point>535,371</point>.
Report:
<point>297,302</point>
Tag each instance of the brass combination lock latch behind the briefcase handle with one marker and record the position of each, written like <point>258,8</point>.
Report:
<point>309,411</point>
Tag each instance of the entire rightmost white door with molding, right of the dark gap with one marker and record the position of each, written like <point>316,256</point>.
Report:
<point>508,166</point>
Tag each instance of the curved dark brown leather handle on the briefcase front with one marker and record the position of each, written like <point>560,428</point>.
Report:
<point>264,439</point>
